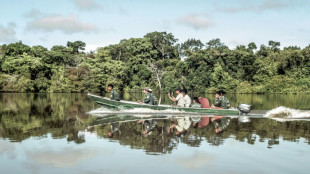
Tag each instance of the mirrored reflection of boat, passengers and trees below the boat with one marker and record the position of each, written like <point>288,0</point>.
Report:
<point>163,134</point>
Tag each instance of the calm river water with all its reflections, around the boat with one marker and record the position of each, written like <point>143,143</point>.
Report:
<point>50,133</point>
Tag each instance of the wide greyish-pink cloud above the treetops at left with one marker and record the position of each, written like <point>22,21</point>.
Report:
<point>68,24</point>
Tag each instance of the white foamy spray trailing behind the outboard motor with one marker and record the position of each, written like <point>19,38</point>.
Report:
<point>285,114</point>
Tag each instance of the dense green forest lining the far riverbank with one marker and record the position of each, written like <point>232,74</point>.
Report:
<point>158,61</point>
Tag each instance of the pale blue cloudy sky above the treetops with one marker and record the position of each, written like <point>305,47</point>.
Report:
<point>99,23</point>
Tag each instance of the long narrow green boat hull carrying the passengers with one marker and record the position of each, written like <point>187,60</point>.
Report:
<point>123,104</point>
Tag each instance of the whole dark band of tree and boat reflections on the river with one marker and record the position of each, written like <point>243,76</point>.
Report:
<point>65,116</point>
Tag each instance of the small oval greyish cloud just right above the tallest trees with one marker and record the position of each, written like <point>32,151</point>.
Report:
<point>195,21</point>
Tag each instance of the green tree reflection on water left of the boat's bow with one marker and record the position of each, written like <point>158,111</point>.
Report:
<point>26,115</point>
